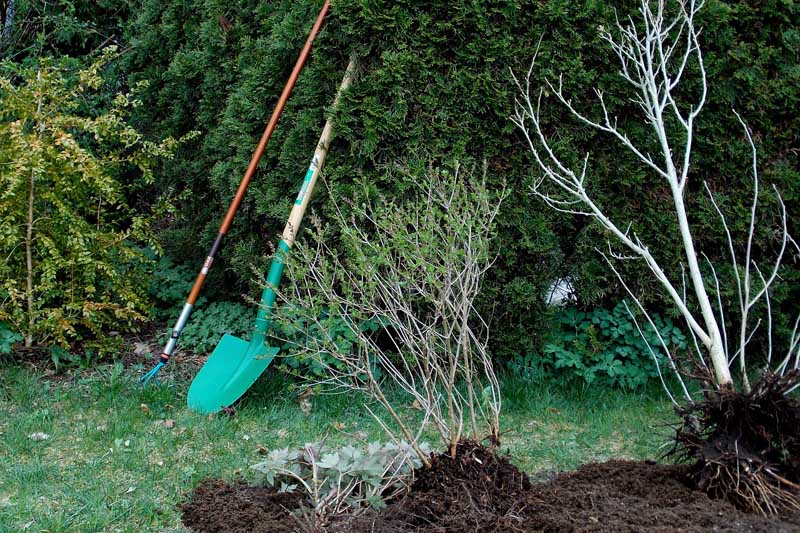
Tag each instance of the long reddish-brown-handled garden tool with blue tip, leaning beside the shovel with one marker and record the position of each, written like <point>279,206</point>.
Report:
<point>237,199</point>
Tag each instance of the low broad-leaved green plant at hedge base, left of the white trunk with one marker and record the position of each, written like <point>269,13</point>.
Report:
<point>603,347</point>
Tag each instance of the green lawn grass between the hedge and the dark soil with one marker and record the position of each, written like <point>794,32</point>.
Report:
<point>111,464</point>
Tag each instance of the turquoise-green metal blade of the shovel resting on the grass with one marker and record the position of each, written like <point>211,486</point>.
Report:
<point>230,370</point>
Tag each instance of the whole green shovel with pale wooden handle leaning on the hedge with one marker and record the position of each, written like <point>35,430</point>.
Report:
<point>235,364</point>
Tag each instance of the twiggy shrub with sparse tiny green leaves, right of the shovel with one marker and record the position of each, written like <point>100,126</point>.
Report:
<point>402,296</point>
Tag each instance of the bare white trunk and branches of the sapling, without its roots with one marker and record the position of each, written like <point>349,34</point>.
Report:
<point>654,56</point>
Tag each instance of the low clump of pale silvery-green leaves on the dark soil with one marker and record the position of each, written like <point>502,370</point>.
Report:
<point>344,479</point>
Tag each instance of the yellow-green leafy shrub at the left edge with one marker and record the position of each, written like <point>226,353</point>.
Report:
<point>73,271</point>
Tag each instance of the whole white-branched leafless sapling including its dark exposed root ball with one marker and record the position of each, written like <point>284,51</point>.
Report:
<point>745,443</point>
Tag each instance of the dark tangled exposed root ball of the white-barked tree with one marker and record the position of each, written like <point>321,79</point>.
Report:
<point>746,447</point>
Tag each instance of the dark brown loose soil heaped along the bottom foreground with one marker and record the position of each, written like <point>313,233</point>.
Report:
<point>480,491</point>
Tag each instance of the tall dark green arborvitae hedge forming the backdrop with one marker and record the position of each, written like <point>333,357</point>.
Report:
<point>435,87</point>
